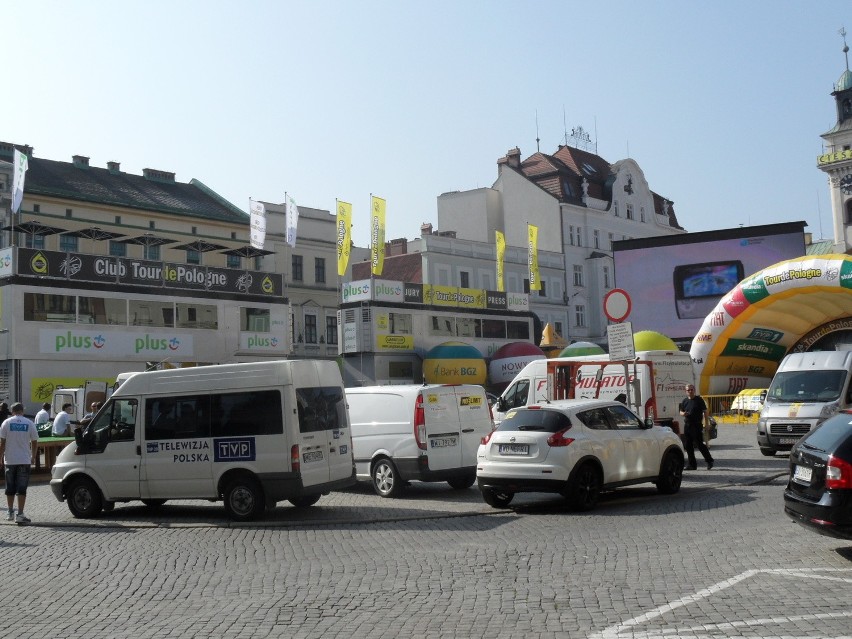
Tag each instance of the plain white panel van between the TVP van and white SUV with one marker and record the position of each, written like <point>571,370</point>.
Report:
<point>417,432</point>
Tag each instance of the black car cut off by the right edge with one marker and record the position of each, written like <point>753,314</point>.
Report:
<point>819,491</point>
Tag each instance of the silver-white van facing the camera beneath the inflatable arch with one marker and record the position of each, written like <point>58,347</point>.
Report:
<point>807,389</point>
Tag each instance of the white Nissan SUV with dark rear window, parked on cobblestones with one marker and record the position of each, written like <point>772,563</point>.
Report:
<point>576,447</point>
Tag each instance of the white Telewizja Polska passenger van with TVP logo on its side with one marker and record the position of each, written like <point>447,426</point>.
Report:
<point>249,434</point>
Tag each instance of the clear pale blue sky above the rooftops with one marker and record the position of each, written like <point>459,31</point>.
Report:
<point>721,103</point>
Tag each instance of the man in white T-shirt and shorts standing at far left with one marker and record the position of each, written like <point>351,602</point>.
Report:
<point>18,450</point>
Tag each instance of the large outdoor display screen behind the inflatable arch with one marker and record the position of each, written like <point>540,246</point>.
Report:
<point>675,281</point>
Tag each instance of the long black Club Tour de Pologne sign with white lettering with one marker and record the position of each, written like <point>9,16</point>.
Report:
<point>148,273</point>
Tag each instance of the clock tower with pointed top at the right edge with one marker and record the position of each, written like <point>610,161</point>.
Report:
<point>837,160</point>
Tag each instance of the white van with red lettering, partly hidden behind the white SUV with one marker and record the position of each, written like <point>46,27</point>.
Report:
<point>653,387</point>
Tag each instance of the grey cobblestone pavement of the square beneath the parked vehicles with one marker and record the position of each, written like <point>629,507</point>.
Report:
<point>718,559</point>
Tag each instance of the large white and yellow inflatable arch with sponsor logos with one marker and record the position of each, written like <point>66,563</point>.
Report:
<point>784,308</point>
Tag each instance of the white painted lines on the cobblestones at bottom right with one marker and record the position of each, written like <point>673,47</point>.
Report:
<point>628,628</point>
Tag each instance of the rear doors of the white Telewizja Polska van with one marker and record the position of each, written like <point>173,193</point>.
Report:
<point>323,437</point>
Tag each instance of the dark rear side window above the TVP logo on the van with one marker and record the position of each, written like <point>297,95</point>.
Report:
<point>250,413</point>
